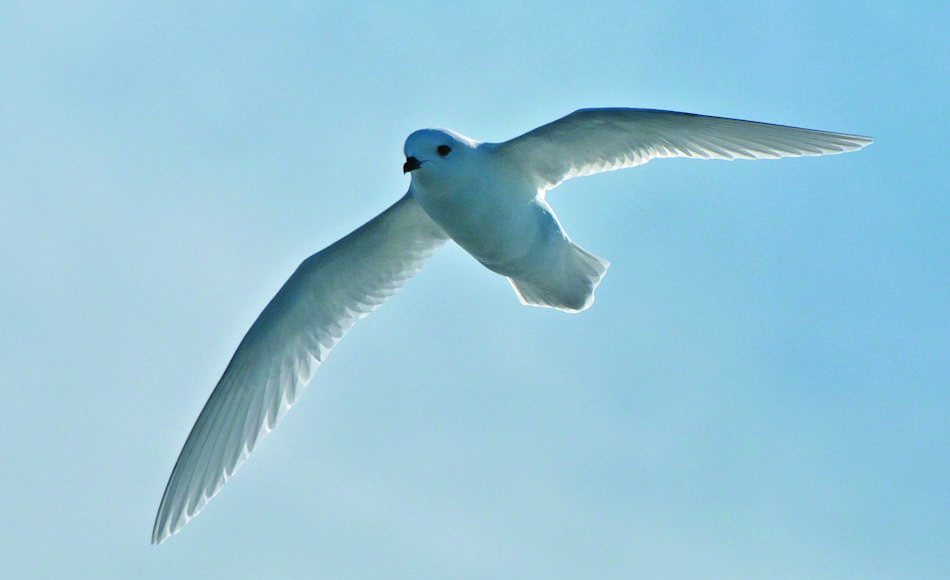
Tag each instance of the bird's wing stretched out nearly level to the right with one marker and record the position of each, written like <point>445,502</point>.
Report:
<point>594,140</point>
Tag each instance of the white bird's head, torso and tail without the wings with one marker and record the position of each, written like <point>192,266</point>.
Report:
<point>496,213</point>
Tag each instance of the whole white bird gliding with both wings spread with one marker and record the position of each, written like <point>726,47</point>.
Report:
<point>487,197</point>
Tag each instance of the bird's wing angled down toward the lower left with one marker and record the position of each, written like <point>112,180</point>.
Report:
<point>329,292</point>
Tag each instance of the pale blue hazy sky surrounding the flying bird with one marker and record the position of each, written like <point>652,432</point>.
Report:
<point>762,389</point>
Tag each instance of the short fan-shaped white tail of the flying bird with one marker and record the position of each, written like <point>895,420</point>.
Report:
<point>568,285</point>
